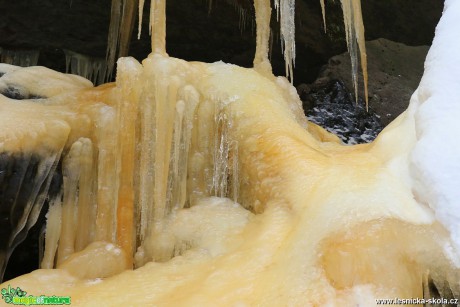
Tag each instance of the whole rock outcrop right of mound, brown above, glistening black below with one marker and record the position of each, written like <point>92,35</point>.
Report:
<point>394,72</point>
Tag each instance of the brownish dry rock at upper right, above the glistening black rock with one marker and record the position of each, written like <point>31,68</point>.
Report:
<point>394,72</point>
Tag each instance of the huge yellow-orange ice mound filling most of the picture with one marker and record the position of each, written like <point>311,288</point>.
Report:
<point>208,180</point>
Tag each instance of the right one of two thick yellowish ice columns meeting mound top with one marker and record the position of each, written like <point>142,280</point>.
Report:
<point>263,16</point>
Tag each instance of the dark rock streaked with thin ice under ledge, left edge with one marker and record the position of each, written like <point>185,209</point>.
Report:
<point>22,185</point>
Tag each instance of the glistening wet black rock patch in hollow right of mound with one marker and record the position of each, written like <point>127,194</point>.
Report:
<point>331,106</point>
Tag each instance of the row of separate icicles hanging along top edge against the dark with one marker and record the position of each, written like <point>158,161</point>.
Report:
<point>123,19</point>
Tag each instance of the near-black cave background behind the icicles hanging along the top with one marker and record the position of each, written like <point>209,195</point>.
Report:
<point>195,33</point>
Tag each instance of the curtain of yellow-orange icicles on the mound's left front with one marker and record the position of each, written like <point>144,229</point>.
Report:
<point>164,168</point>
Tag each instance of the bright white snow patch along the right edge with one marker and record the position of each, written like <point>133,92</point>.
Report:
<point>435,160</point>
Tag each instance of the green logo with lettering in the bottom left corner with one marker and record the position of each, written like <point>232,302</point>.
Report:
<point>18,297</point>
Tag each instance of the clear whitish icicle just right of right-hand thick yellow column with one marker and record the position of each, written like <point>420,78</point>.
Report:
<point>286,13</point>
